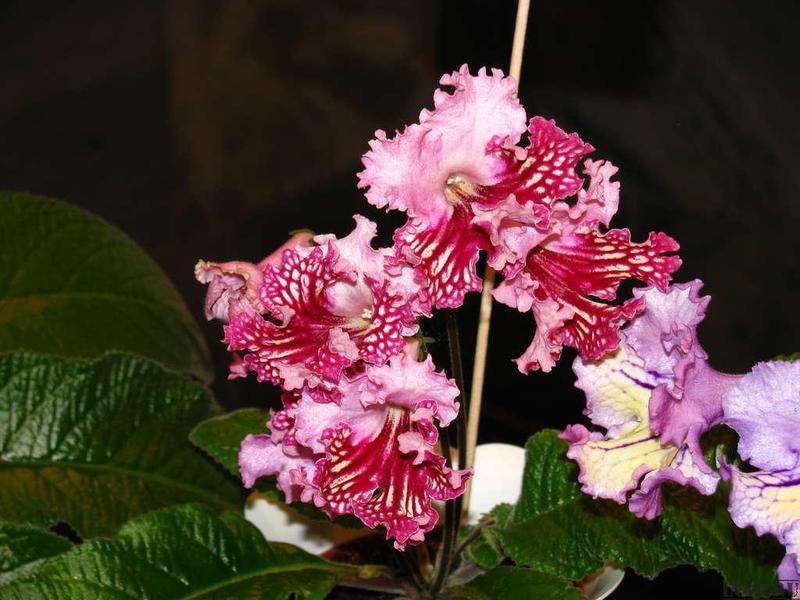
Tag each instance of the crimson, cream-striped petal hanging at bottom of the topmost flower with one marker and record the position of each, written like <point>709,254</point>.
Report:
<point>447,253</point>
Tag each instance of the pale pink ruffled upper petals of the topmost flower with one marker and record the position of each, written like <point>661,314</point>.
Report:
<point>410,171</point>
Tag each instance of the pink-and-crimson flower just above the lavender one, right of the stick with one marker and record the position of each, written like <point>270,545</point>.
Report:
<point>571,275</point>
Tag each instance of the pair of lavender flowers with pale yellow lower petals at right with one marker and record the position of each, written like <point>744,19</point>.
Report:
<point>656,395</point>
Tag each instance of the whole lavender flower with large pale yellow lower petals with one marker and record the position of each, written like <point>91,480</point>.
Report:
<point>655,396</point>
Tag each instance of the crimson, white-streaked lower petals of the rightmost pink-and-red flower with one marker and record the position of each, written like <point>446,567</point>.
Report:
<point>575,268</point>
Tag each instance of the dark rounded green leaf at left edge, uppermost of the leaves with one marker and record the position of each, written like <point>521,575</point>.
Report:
<point>75,286</point>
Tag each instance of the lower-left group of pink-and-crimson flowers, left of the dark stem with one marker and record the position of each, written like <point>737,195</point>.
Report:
<point>330,322</point>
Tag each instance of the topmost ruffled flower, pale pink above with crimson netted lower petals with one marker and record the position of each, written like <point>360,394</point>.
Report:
<point>460,161</point>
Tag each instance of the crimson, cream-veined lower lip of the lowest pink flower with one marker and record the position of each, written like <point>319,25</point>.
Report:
<point>372,479</point>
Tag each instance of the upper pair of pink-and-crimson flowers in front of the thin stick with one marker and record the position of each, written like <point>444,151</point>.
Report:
<point>466,184</point>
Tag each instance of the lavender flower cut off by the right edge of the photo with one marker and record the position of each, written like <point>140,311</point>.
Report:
<point>764,409</point>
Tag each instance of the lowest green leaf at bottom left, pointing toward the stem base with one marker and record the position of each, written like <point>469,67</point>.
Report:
<point>180,552</point>
